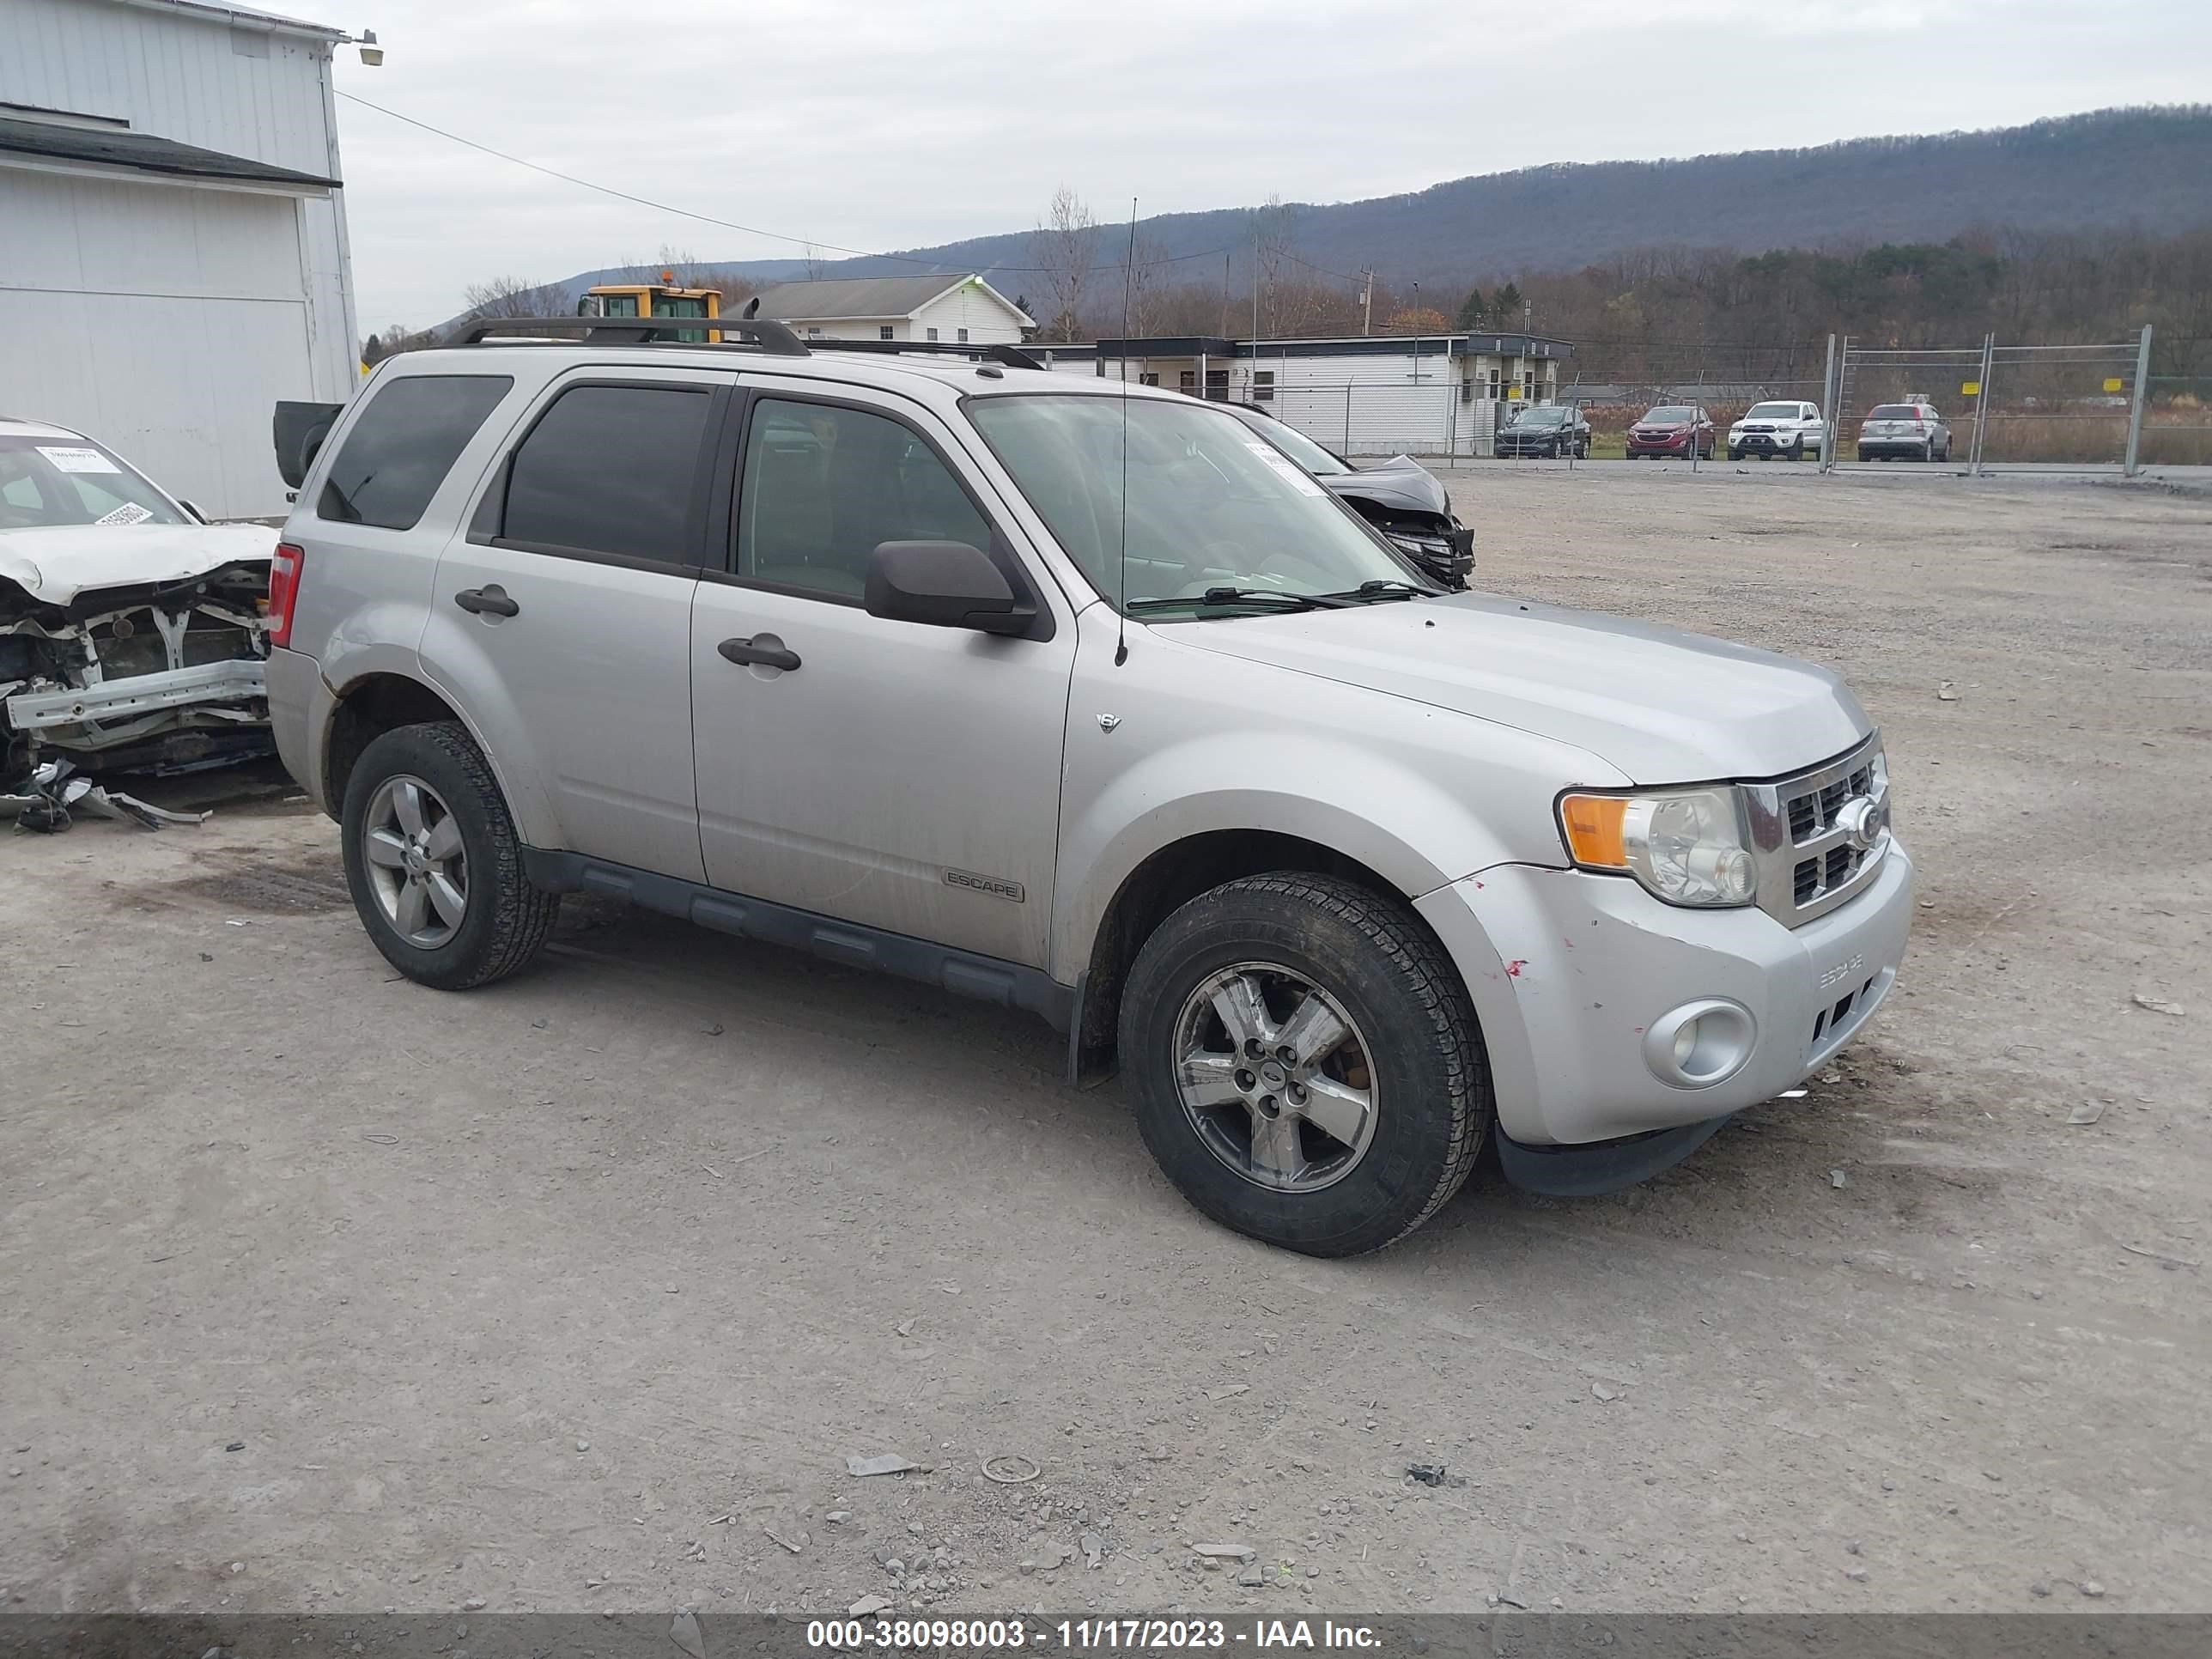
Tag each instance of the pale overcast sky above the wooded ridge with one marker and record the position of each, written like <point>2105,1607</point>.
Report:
<point>890,125</point>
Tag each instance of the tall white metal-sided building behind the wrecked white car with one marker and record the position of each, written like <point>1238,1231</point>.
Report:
<point>174,244</point>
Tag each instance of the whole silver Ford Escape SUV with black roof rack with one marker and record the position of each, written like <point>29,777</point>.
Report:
<point>1085,700</point>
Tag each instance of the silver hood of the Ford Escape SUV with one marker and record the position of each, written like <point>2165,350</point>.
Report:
<point>1660,707</point>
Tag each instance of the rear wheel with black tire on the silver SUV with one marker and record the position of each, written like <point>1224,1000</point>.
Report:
<point>503,917</point>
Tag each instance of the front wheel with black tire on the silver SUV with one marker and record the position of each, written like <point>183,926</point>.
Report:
<point>1410,1032</point>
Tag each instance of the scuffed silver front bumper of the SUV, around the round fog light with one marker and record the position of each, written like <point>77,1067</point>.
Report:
<point>1572,970</point>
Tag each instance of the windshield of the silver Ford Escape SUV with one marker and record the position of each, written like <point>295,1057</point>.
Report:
<point>1211,505</point>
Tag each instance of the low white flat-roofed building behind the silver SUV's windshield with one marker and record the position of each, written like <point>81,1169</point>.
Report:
<point>1443,395</point>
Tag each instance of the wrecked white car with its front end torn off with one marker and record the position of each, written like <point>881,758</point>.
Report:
<point>132,632</point>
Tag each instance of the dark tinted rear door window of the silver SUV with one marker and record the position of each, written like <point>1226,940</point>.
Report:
<point>609,470</point>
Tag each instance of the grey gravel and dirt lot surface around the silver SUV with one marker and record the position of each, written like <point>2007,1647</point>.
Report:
<point>333,1293</point>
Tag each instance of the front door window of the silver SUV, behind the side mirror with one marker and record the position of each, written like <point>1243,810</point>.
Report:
<point>824,488</point>
